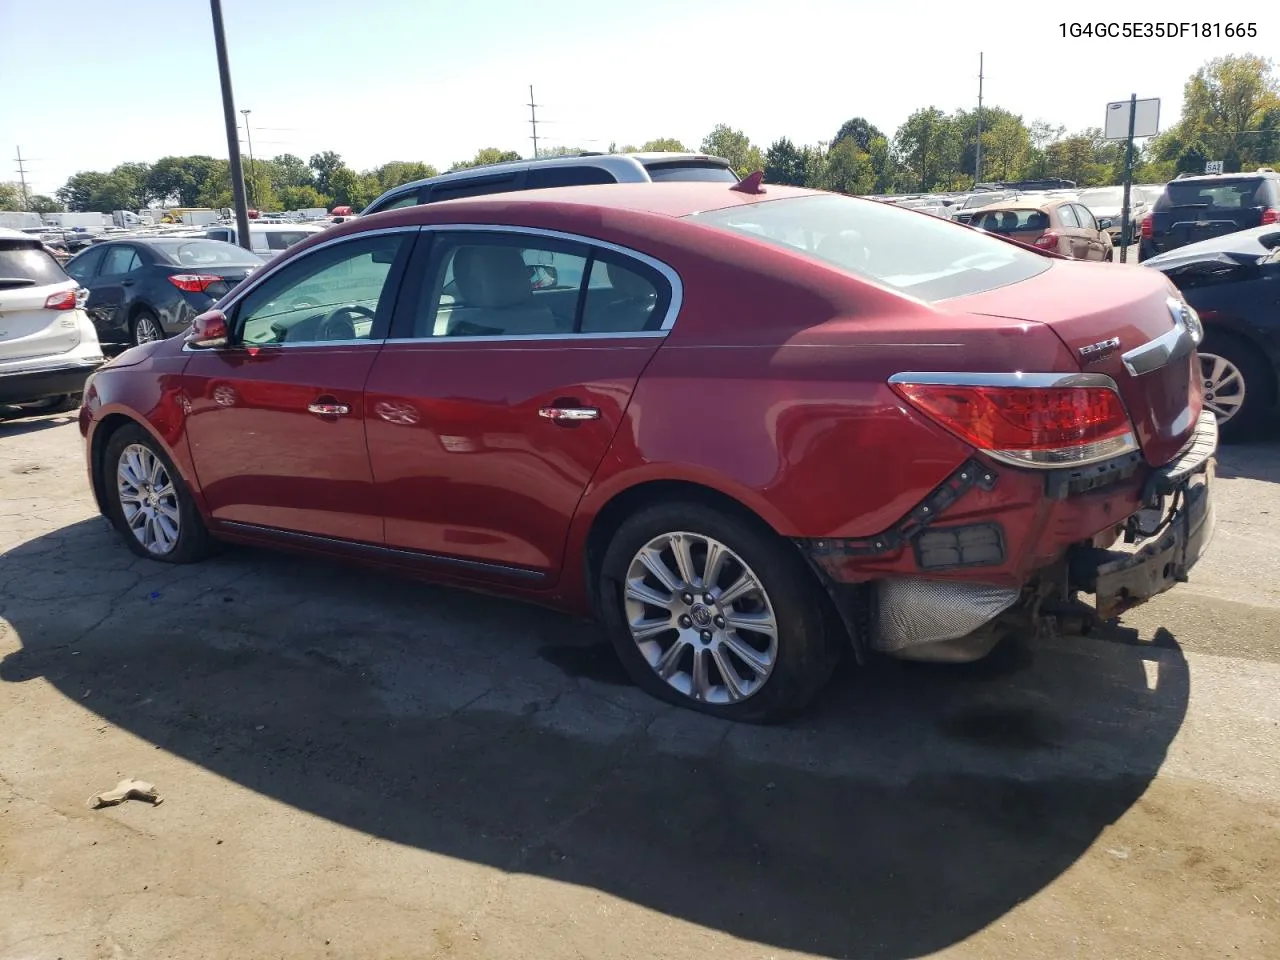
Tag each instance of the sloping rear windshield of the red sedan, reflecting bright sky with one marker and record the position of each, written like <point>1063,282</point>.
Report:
<point>921,257</point>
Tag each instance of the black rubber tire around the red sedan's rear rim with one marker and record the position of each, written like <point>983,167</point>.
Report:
<point>808,646</point>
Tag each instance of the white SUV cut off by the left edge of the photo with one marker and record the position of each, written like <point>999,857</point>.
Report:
<point>48,344</point>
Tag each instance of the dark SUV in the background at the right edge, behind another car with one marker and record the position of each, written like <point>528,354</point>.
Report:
<point>1200,208</point>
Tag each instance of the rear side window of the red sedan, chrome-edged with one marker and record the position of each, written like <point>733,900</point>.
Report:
<point>506,285</point>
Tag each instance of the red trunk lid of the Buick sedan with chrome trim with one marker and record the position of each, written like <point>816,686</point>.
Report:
<point>1089,305</point>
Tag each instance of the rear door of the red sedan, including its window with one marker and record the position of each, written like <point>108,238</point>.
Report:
<point>509,373</point>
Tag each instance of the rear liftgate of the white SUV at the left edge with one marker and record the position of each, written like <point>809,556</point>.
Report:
<point>29,278</point>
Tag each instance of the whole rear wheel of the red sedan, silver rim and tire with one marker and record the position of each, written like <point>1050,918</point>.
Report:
<point>716,614</point>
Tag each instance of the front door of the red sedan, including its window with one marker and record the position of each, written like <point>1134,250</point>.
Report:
<point>277,419</point>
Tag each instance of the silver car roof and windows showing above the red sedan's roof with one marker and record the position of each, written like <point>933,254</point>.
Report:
<point>556,172</point>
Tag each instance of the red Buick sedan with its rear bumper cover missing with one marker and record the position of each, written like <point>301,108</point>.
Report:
<point>748,428</point>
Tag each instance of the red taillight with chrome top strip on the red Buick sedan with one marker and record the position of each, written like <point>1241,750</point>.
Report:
<point>1035,420</point>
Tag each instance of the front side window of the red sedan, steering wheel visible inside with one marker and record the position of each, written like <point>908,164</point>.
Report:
<point>332,295</point>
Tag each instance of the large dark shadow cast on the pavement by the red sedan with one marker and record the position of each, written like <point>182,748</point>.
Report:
<point>909,811</point>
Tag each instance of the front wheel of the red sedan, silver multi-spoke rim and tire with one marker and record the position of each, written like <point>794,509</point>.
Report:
<point>149,502</point>
